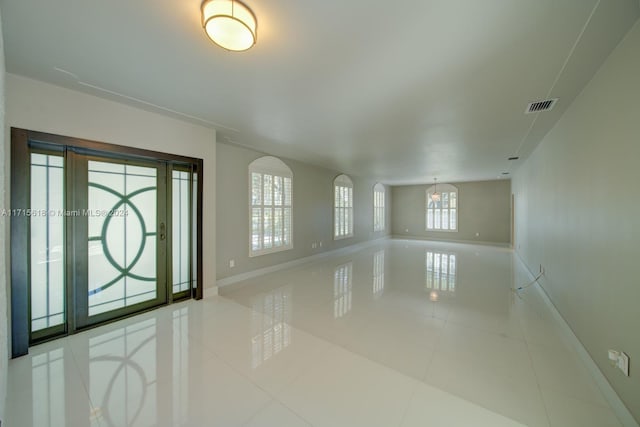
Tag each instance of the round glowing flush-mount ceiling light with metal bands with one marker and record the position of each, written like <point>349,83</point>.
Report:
<point>230,24</point>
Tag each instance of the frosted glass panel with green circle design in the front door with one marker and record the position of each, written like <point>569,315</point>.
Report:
<point>122,236</point>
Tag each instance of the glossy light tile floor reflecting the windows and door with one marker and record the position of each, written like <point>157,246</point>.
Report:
<point>402,333</point>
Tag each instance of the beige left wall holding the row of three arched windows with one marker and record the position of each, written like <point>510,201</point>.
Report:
<point>312,212</point>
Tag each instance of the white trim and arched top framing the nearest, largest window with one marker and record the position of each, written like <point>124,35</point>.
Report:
<point>272,166</point>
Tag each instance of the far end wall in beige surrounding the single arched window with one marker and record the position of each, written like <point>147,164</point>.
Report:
<point>484,208</point>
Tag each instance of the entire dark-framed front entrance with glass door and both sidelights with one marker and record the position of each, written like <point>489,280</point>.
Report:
<point>98,235</point>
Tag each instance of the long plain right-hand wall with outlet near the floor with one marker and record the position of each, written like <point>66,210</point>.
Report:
<point>578,214</point>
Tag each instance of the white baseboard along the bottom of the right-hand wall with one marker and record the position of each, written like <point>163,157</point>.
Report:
<point>621,411</point>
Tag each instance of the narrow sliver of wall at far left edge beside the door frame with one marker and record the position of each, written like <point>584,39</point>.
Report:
<point>4,232</point>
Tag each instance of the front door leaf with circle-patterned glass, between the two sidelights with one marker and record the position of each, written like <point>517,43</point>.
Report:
<point>125,216</point>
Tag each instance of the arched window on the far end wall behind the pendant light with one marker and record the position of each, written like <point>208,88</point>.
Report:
<point>442,208</point>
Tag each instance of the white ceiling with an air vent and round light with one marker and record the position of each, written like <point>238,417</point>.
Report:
<point>401,91</point>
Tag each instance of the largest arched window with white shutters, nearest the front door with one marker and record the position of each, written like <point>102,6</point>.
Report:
<point>270,206</point>
